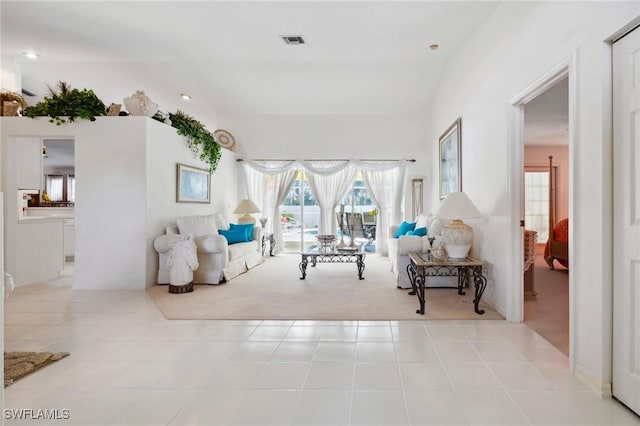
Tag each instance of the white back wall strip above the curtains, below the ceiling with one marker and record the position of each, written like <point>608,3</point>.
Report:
<point>337,137</point>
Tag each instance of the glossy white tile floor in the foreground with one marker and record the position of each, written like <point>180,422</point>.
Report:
<point>130,366</point>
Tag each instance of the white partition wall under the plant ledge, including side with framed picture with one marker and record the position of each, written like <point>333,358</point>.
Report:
<point>125,193</point>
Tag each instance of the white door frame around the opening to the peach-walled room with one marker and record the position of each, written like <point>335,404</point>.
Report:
<point>566,68</point>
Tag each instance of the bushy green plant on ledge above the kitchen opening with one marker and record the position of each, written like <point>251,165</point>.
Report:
<point>68,102</point>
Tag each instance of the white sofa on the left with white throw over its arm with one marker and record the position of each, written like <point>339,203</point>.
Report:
<point>218,260</point>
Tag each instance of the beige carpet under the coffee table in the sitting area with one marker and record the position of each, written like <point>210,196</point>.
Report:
<point>273,290</point>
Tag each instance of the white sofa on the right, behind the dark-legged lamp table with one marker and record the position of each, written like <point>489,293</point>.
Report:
<point>399,249</point>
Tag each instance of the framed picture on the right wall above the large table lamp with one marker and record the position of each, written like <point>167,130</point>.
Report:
<point>450,164</point>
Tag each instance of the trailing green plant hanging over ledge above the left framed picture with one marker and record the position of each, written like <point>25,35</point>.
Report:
<point>199,139</point>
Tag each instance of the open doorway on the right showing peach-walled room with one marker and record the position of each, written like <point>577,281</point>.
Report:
<point>546,196</point>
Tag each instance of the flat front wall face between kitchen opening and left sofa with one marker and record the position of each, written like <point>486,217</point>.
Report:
<point>111,203</point>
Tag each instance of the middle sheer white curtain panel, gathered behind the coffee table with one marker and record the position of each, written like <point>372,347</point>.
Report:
<point>329,181</point>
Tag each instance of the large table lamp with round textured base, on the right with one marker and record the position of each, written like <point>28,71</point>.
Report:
<point>457,235</point>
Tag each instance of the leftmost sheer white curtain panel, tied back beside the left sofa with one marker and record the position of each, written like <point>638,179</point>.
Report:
<point>277,177</point>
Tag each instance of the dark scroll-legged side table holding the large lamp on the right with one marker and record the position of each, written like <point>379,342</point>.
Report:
<point>424,265</point>
